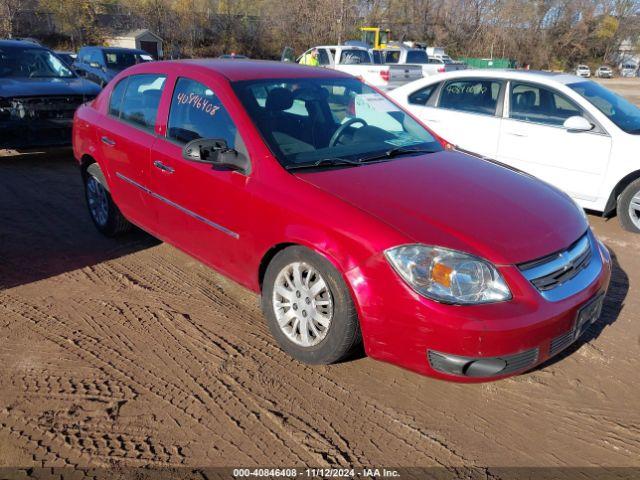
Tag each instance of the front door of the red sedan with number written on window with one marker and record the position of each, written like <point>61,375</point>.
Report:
<point>201,209</point>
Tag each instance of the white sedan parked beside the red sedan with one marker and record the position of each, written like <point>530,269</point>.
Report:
<point>569,131</point>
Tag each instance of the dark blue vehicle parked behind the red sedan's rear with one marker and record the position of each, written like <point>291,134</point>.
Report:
<point>101,64</point>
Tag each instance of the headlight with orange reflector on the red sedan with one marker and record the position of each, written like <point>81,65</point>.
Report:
<point>448,276</point>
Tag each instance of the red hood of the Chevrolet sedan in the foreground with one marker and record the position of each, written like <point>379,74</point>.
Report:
<point>458,201</point>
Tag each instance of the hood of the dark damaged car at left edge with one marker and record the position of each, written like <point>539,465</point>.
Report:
<point>31,87</point>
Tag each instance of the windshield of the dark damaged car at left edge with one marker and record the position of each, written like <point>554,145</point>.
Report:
<point>21,62</point>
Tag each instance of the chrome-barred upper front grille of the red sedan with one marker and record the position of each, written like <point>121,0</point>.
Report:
<point>555,270</point>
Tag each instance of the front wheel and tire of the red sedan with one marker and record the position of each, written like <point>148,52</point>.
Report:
<point>342,333</point>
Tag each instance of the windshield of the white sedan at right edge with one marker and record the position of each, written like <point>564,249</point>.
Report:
<point>620,111</point>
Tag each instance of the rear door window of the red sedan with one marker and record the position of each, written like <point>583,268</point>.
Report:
<point>139,105</point>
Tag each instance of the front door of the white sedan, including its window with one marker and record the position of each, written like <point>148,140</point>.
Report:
<point>534,139</point>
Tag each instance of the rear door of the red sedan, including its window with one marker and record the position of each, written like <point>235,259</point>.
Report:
<point>126,136</point>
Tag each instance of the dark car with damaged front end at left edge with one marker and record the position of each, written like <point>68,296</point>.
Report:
<point>39,95</point>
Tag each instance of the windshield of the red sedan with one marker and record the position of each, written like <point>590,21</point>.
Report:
<point>311,120</point>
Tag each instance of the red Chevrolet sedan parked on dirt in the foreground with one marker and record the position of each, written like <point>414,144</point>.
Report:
<point>345,213</point>
